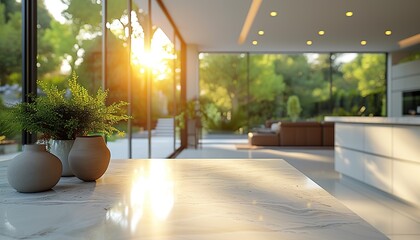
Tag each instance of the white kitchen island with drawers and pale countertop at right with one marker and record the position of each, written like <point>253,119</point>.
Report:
<point>383,152</point>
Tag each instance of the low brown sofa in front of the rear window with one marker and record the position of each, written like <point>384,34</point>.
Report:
<point>295,134</point>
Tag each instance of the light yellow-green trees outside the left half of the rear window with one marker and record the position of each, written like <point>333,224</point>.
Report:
<point>224,82</point>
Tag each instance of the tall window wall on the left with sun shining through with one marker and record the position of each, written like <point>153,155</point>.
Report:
<point>142,66</point>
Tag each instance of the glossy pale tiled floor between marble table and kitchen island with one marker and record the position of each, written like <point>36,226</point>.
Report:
<point>394,218</point>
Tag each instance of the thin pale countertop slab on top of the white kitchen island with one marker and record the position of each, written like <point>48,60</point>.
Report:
<point>375,120</point>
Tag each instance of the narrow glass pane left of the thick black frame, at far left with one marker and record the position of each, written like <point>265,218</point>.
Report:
<point>10,75</point>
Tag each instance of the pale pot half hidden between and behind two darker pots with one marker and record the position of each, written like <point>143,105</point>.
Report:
<point>61,149</point>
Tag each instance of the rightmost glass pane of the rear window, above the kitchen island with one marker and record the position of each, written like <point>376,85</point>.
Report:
<point>359,84</point>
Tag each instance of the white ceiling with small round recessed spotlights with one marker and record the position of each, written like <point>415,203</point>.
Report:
<point>215,25</point>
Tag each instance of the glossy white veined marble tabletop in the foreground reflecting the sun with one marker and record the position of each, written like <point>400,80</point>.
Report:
<point>182,199</point>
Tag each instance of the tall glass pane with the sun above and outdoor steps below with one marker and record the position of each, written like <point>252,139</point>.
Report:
<point>161,63</point>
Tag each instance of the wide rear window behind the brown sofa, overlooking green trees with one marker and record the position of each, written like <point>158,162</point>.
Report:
<point>243,91</point>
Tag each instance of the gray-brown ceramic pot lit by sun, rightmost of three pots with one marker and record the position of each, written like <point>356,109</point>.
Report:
<point>89,157</point>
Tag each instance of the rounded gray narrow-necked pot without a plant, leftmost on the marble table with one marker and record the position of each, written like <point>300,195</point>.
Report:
<point>34,170</point>
